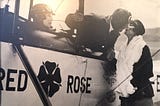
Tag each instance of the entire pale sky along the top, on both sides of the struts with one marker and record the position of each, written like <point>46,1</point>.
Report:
<point>148,11</point>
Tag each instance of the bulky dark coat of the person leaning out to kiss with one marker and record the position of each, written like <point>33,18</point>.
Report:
<point>93,33</point>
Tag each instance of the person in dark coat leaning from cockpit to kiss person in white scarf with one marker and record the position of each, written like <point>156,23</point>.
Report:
<point>98,34</point>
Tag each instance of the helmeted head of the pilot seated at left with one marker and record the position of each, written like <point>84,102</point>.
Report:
<point>42,17</point>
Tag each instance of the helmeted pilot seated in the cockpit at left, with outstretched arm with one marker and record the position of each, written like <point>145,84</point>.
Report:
<point>39,31</point>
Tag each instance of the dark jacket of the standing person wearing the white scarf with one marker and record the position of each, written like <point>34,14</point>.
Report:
<point>142,71</point>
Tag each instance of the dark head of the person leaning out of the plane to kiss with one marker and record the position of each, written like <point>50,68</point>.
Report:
<point>120,18</point>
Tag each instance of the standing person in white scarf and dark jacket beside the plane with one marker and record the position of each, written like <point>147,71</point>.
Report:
<point>134,58</point>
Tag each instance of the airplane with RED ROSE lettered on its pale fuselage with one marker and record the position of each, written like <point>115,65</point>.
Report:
<point>48,70</point>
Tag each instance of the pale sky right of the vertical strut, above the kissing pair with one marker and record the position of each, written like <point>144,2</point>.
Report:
<point>148,11</point>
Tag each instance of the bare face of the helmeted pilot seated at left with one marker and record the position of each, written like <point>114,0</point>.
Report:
<point>48,20</point>
